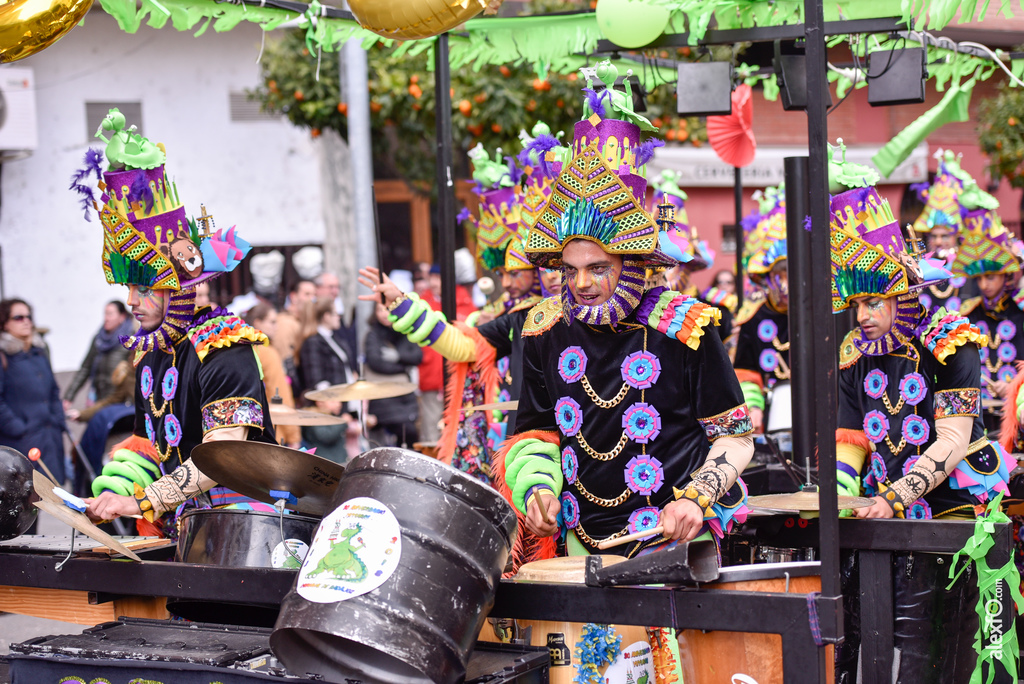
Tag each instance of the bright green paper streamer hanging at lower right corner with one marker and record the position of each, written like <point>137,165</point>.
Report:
<point>1004,649</point>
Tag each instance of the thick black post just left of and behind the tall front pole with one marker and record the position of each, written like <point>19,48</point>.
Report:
<point>801,322</point>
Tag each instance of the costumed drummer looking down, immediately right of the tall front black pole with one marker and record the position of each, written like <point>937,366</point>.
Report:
<point>910,433</point>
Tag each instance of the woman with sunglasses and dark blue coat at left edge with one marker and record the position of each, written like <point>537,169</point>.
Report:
<point>31,414</point>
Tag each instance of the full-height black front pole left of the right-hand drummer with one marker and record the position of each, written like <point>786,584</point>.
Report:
<point>826,345</point>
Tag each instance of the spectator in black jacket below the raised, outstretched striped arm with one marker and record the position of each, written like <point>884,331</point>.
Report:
<point>392,358</point>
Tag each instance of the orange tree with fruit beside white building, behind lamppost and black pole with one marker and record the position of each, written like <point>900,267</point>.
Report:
<point>490,106</point>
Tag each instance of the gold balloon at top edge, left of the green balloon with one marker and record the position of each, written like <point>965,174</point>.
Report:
<point>409,20</point>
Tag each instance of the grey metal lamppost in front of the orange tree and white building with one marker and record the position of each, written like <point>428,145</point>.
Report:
<point>358,97</point>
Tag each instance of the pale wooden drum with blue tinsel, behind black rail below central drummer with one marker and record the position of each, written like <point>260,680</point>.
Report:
<point>635,663</point>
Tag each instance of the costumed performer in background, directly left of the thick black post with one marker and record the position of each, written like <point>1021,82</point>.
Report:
<point>762,357</point>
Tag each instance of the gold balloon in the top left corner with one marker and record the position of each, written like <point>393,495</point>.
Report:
<point>30,26</point>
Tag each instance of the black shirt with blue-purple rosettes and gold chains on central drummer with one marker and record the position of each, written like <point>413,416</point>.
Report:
<point>635,409</point>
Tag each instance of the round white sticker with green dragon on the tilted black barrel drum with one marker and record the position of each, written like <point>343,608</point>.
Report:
<point>356,550</point>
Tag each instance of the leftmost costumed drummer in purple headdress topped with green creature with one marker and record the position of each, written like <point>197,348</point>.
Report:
<point>199,379</point>
